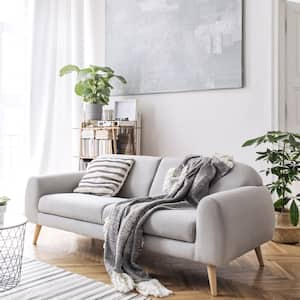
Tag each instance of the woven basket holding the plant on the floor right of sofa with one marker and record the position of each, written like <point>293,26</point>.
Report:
<point>285,232</point>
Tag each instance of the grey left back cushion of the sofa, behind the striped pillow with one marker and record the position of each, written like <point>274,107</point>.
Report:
<point>140,178</point>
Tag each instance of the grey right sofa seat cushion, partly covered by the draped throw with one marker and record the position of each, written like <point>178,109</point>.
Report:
<point>176,224</point>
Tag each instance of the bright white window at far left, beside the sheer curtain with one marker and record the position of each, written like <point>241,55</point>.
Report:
<point>13,81</point>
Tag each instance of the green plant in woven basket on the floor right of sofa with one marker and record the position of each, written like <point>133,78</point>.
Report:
<point>282,155</point>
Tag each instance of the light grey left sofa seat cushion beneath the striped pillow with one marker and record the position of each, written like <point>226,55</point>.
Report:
<point>83,207</point>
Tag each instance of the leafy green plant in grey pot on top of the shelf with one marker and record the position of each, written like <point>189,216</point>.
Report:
<point>94,86</point>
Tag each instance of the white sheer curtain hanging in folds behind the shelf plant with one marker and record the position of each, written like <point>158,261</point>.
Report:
<point>64,32</point>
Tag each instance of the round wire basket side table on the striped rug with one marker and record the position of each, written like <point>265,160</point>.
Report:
<point>12,234</point>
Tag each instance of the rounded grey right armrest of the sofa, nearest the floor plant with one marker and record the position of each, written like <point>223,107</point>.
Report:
<point>232,223</point>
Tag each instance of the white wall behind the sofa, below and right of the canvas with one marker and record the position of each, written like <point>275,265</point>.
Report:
<point>215,121</point>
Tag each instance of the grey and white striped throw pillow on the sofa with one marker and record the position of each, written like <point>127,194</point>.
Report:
<point>105,176</point>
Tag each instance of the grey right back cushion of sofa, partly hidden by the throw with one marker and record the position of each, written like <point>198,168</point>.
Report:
<point>240,175</point>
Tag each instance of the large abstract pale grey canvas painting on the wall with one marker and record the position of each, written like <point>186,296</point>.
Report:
<point>174,45</point>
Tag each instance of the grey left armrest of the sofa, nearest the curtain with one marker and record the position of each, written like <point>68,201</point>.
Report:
<point>50,184</point>
